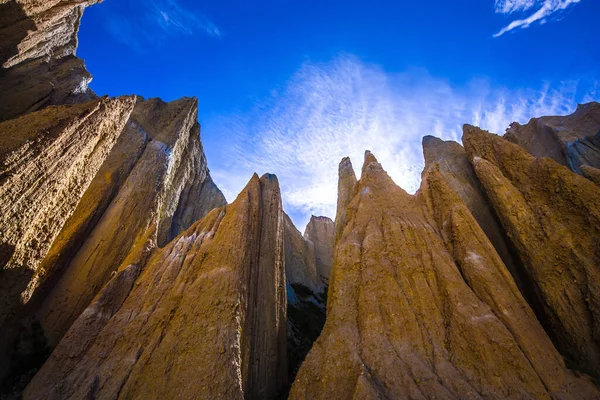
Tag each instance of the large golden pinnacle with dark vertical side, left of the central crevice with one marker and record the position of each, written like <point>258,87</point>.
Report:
<point>205,318</point>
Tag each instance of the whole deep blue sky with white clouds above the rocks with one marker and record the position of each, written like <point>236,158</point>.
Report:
<point>291,87</point>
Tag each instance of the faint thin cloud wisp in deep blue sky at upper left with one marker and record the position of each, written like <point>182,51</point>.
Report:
<point>156,22</point>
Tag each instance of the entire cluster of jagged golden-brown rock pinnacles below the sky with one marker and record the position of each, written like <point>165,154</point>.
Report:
<point>124,273</point>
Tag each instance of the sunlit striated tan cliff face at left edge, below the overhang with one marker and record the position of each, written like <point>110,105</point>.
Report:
<point>48,159</point>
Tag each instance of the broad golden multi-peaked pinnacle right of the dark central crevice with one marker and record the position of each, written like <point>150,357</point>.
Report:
<point>420,306</point>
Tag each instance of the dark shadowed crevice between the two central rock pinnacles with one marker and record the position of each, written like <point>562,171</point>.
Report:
<point>305,320</point>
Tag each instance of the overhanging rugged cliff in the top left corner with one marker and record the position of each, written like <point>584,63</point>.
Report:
<point>37,56</point>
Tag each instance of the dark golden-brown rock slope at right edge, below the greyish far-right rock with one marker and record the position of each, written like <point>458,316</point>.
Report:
<point>552,217</point>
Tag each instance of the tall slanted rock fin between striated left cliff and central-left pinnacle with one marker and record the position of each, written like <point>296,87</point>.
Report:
<point>164,161</point>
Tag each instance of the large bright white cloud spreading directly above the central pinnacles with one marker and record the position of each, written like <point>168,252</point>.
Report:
<point>341,108</point>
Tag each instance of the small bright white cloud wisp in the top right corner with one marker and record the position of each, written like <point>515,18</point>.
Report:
<point>545,9</point>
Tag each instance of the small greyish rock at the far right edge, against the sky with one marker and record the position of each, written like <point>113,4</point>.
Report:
<point>571,140</point>
